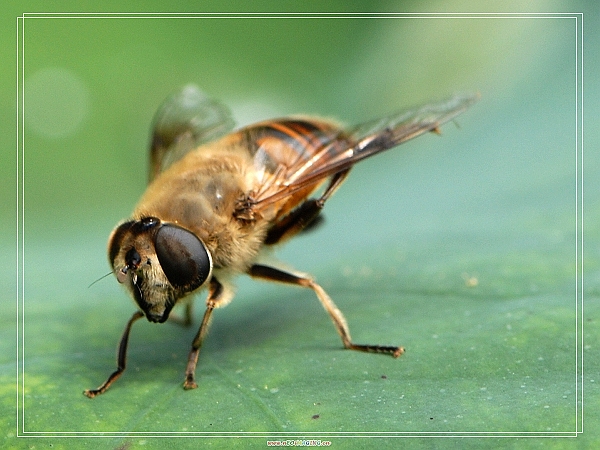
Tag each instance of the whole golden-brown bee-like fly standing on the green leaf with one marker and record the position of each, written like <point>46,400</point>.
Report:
<point>218,200</point>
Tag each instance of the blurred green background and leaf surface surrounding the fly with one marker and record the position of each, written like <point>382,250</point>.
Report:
<point>492,200</point>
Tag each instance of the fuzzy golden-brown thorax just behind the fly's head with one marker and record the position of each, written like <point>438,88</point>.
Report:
<point>201,192</point>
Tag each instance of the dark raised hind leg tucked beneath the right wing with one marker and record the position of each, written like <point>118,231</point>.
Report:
<point>305,214</point>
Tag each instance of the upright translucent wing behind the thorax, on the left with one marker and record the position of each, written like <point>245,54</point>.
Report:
<point>186,119</point>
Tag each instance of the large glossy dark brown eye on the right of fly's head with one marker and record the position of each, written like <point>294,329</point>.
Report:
<point>183,257</point>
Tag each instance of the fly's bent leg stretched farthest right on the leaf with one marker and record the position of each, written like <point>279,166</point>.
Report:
<point>274,274</point>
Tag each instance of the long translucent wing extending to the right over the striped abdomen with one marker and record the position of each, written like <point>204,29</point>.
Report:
<point>359,143</point>
